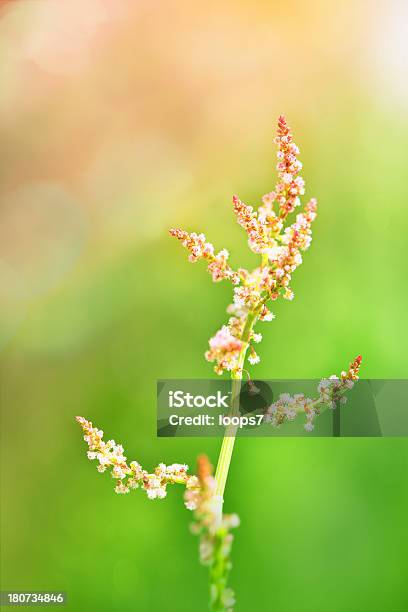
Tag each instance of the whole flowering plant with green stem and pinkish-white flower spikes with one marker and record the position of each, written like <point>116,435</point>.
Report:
<point>279,244</point>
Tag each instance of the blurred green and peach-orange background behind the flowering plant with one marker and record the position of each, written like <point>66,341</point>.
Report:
<point>119,120</point>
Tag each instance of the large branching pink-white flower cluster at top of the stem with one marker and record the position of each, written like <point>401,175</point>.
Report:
<point>280,248</point>
